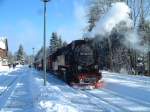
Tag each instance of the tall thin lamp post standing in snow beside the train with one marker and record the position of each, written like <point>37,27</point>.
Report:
<point>44,41</point>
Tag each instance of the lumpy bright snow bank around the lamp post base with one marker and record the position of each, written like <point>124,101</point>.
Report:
<point>50,98</point>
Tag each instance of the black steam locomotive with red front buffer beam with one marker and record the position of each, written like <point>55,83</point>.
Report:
<point>77,64</point>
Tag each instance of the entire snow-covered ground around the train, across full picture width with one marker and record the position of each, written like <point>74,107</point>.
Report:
<point>22,90</point>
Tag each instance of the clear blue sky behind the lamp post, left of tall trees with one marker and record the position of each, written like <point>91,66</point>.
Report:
<point>21,21</point>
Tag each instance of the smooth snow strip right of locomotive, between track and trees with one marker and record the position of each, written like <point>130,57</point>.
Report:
<point>129,85</point>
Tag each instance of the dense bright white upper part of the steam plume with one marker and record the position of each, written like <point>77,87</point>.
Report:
<point>119,12</point>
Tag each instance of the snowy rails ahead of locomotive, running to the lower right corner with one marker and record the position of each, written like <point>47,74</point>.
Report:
<point>119,103</point>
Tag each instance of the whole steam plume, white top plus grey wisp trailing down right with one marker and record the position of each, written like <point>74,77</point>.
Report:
<point>118,13</point>
